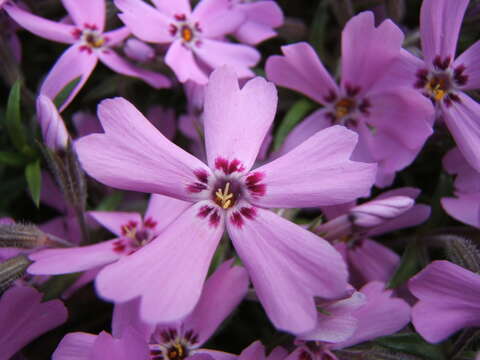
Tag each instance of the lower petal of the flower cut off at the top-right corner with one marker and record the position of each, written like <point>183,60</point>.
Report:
<point>464,123</point>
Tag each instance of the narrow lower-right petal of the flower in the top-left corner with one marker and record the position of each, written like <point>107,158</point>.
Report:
<point>122,66</point>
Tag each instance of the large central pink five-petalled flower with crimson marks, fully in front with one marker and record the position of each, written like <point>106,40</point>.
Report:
<point>227,194</point>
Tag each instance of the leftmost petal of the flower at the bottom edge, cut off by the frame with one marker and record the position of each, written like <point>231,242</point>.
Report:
<point>75,346</point>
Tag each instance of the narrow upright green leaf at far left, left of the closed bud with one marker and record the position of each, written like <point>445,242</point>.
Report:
<point>13,119</point>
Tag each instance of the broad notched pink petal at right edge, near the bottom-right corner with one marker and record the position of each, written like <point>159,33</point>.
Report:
<point>447,300</point>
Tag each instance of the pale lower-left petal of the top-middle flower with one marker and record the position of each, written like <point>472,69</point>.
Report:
<point>181,61</point>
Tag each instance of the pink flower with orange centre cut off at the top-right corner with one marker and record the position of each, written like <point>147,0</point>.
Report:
<point>443,78</point>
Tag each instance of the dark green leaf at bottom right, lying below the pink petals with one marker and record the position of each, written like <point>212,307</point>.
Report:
<point>412,343</point>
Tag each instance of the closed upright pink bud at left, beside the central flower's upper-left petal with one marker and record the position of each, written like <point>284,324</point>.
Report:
<point>54,132</point>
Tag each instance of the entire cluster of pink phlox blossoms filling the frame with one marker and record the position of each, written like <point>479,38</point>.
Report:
<point>325,283</point>
